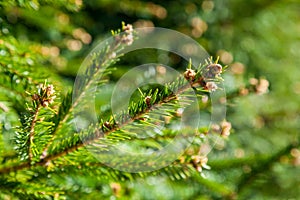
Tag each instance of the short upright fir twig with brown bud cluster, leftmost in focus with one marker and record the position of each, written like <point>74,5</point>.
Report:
<point>34,123</point>
